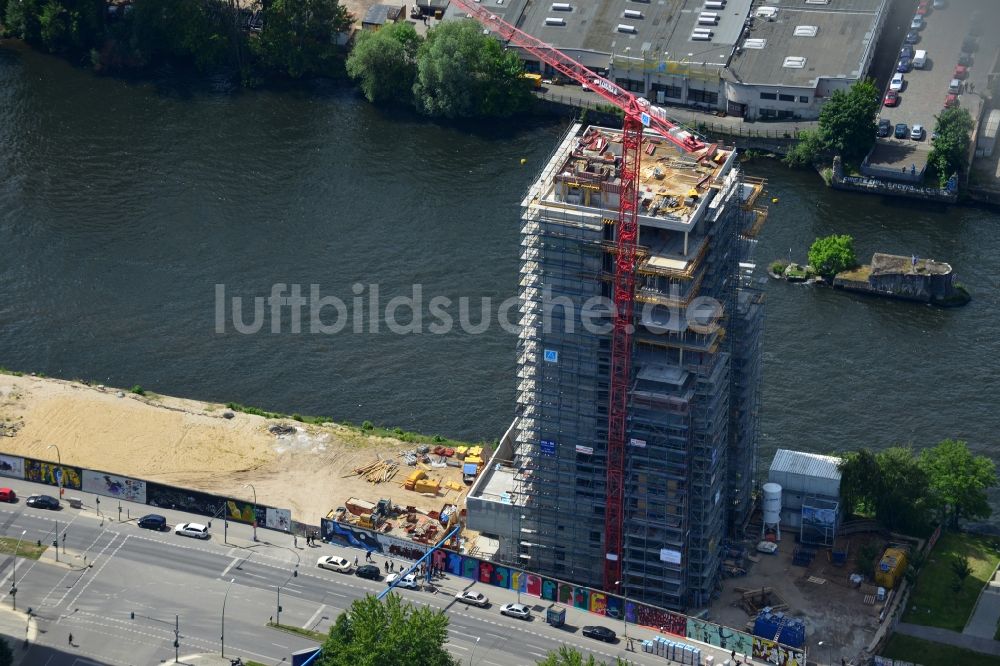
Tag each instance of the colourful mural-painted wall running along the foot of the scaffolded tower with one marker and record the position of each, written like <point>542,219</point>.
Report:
<point>556,591</point>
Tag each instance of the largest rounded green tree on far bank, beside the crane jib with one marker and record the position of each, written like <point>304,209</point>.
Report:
<point>462,73</point>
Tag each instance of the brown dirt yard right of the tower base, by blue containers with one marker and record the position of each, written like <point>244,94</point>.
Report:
<point>834,612</point>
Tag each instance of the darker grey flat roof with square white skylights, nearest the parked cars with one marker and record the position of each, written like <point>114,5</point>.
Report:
<point>795,42</point>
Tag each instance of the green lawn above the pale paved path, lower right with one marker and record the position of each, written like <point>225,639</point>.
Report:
<point>934,602</point>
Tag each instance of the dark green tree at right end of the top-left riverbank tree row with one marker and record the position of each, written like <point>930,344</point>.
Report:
<point>299,38</point>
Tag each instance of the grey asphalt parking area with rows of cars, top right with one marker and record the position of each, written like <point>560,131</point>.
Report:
<point>923,94</point>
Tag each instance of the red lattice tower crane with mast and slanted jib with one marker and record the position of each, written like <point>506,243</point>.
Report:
<point>639,113</point>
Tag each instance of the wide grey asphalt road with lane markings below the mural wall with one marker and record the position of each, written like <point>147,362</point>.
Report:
<point>112,569</point>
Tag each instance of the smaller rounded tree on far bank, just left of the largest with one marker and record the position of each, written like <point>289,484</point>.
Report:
<point>384,63</point>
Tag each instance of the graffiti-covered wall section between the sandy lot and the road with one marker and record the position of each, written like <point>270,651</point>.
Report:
<point>158,495</point>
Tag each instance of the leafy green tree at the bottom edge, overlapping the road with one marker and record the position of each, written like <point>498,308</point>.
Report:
<point>375,633</point>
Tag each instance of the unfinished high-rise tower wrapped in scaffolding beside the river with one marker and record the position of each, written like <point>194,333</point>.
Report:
<point>694,387</point>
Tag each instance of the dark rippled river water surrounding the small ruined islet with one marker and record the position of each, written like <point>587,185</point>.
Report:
<point>123,205</point>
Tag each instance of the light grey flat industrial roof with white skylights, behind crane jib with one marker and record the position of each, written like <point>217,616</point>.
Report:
<point>653,28</point>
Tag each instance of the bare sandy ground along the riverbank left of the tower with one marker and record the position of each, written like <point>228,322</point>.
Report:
<point>190,444</point>
